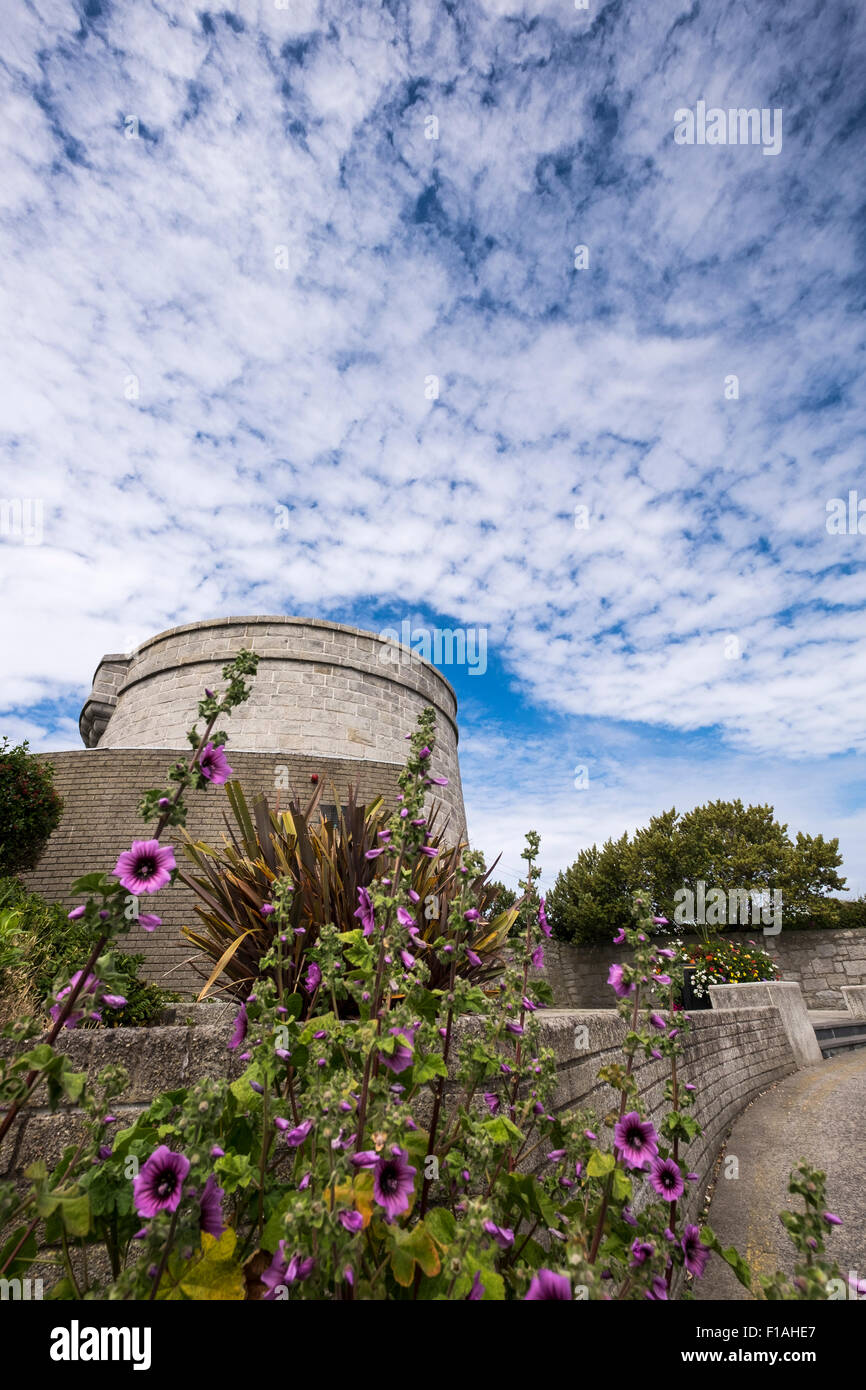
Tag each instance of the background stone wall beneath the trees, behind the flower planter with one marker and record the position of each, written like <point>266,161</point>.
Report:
<point>822,963</point>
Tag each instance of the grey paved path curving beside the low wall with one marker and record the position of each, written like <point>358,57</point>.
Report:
<point>818,1114</point>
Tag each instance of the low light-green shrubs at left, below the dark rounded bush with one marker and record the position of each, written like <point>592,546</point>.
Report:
<point>40,946</point>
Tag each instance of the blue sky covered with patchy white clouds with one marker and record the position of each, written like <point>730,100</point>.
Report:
<point>234,259</point>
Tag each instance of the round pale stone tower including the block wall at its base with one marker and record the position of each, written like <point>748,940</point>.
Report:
<point>327,701</point>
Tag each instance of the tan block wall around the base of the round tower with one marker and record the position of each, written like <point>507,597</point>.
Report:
<point>102,789</point>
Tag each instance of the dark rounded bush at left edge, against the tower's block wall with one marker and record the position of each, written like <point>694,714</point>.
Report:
<point>30,808</point>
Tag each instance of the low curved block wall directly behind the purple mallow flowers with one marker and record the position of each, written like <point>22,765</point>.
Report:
<point>730,1056</point>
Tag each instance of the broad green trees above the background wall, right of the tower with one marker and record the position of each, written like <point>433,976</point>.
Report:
<point>722,844</point>
